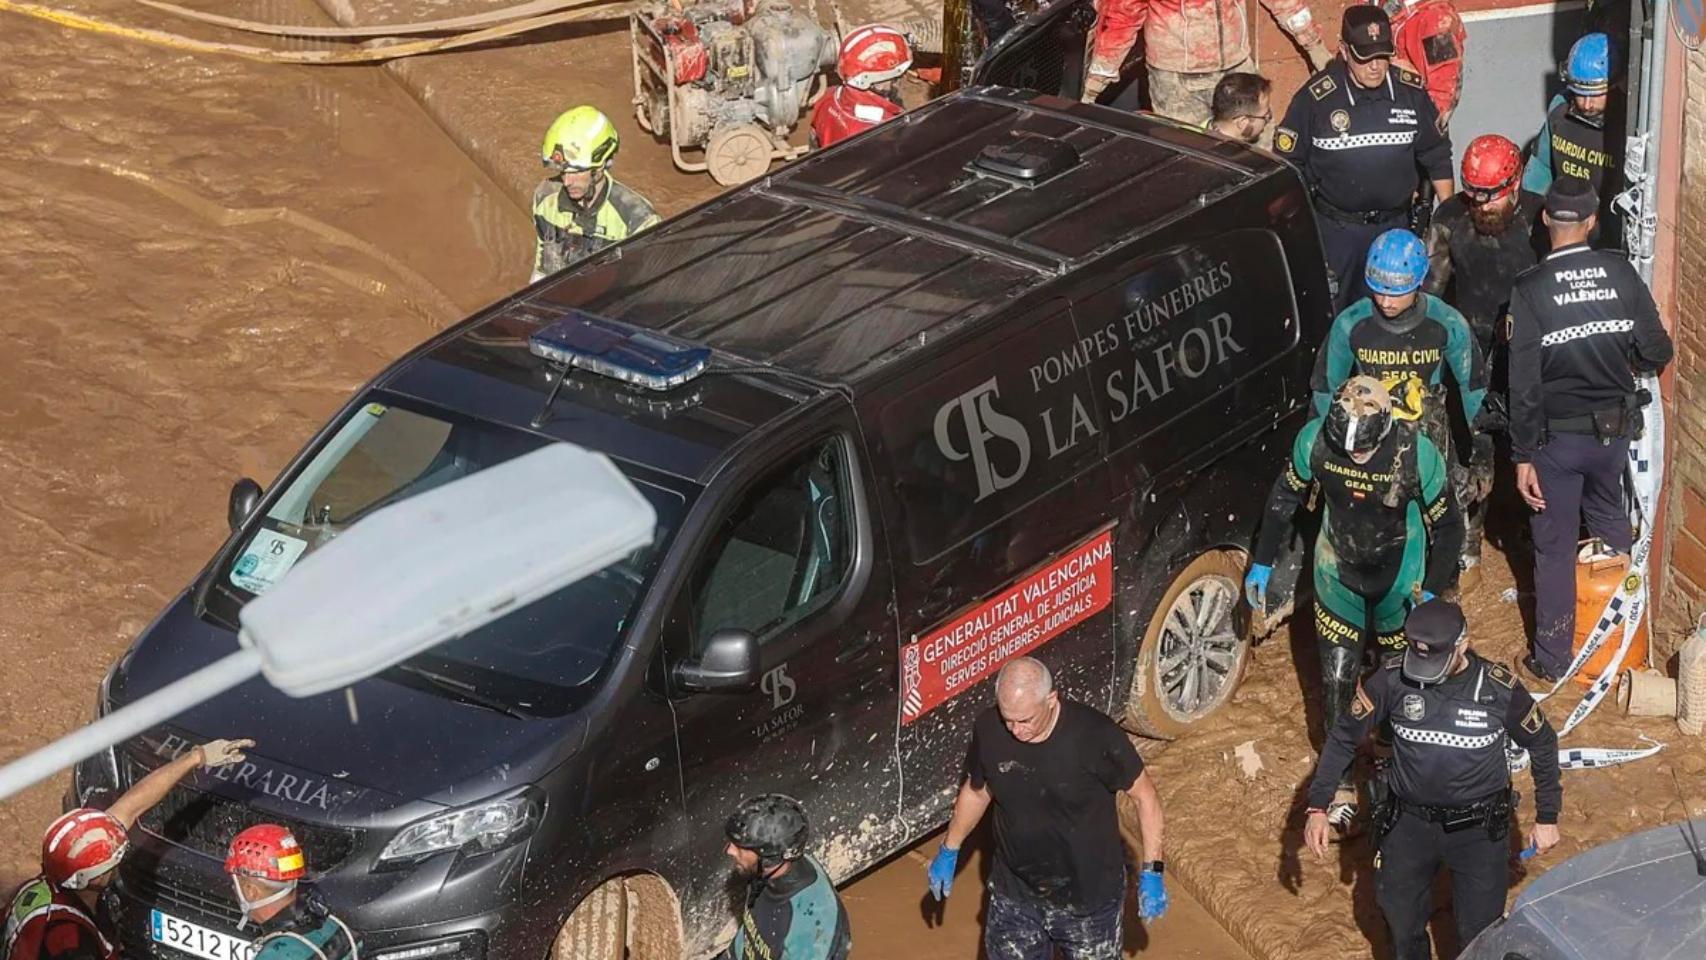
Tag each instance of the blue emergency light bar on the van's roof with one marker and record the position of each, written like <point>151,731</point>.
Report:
<point>622,352</point>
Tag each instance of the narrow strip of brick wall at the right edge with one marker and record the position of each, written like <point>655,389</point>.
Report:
<point>1683,594</point>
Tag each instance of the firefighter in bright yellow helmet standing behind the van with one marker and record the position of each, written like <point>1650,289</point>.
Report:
<point>579,209</point>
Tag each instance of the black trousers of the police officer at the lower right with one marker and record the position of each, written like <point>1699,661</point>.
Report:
<point>1405,867</point>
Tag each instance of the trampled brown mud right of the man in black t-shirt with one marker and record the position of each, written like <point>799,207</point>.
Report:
<point>1238,843</point>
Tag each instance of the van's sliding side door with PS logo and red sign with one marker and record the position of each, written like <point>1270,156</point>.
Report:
<point>1001,535</point>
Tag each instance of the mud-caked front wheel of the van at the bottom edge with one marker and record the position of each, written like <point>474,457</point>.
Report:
<point>625,918</point>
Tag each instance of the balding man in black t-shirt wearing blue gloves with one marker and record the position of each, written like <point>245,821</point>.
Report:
<point>1053,768</point>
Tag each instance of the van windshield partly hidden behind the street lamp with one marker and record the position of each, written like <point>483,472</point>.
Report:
<point>540,659</point>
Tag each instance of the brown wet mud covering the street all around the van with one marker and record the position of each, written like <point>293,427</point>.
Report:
<point>202,258</point>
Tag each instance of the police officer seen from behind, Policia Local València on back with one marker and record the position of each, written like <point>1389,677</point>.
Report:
<point>1581,327</point>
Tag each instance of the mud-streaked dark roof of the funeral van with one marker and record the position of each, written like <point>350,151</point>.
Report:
<point>861,255</point>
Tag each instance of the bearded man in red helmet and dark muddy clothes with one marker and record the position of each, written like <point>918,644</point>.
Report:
<point>1478,243</point>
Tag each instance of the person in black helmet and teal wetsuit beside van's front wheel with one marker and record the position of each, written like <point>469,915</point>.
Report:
<point>791,910</point>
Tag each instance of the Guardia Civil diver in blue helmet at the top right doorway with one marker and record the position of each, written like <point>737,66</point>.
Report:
<point>1582,137</point>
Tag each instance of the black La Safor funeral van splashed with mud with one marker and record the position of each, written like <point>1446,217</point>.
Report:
<point>1004,376</point>
